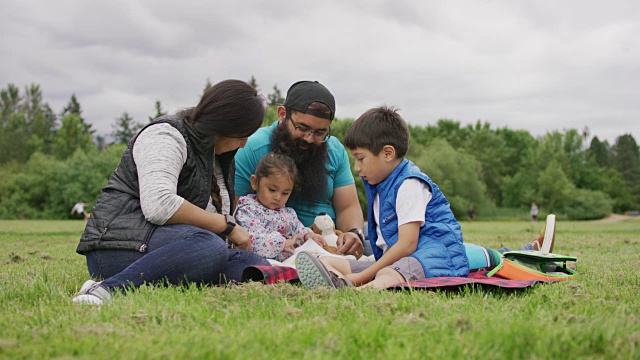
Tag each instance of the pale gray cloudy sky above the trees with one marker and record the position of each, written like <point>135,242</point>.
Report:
<point>533,65</point>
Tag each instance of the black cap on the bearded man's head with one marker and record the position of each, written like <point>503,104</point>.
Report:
<point>301,94</point>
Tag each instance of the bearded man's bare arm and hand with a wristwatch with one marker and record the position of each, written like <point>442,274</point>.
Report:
<point>349,216</point>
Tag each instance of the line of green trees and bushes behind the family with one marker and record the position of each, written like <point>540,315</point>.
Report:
<point>49,161</point>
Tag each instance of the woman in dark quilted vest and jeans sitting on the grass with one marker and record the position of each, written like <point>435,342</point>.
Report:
<point>163,215</point>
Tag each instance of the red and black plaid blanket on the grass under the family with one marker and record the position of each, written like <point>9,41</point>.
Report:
<point>275,274</point>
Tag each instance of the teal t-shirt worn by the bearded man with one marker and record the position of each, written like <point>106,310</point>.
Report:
<point>259,145</point>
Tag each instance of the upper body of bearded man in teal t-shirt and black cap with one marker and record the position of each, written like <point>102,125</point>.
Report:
<point>303,132</point>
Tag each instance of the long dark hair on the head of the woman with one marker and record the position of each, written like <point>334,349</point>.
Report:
<point>230,108</point>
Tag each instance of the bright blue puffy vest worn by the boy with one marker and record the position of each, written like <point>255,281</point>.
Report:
<point>440,247</point>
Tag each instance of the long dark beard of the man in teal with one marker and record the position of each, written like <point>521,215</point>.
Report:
<point>310,160</point>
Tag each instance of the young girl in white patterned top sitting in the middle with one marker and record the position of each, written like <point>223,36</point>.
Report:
<point>274,228</point>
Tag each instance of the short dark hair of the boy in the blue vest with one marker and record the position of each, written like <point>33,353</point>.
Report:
<point>377,128</point>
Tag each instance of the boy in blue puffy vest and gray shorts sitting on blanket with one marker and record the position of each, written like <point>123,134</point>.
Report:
<point>413,233</point>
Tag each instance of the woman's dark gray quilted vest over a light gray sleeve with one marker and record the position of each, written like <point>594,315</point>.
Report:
<point>117,221</point>
